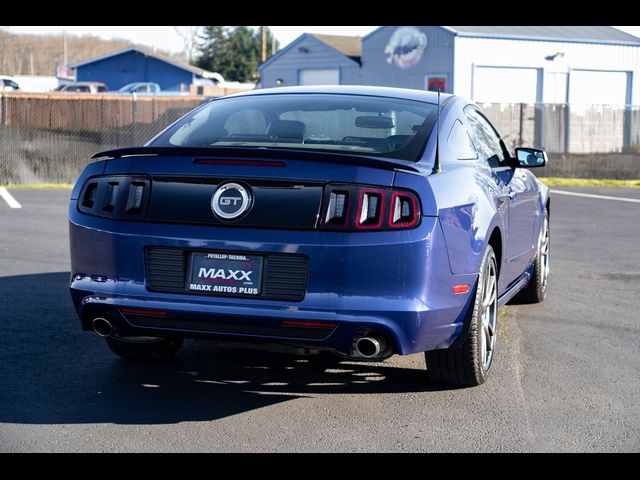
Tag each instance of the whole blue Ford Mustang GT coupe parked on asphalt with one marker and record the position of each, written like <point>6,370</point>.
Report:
<point>359,220</point>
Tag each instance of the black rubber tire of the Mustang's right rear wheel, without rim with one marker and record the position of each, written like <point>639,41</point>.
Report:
<point>464,366</point>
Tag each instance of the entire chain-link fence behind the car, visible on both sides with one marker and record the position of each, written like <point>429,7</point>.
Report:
<point>49,138</point>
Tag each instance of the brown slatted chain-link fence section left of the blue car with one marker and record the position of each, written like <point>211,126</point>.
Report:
<point>50,138</point>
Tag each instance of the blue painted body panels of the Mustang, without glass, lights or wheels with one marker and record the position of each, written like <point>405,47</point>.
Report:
<point>398,283</point>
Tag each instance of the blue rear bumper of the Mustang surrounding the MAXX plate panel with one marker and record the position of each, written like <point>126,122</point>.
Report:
<point>397,284</point>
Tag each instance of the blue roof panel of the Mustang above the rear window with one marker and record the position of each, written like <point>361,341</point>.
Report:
<point>402,93</point>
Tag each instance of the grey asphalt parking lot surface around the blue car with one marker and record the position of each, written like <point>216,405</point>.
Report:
<point>565,377</point>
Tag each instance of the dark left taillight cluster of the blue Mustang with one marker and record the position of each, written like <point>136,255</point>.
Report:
<point>116,197</point>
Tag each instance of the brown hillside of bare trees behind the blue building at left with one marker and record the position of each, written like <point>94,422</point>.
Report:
<point>41,54</point>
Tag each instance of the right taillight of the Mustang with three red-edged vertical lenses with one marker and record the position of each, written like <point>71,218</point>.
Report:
<point>351,207</point>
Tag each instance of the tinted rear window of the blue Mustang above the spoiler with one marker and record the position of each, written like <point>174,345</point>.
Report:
<point>375,126</point>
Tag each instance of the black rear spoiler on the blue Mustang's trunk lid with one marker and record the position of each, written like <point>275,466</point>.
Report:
<point>257,154</point>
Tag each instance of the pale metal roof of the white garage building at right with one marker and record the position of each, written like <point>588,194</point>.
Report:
<point>588,34</point>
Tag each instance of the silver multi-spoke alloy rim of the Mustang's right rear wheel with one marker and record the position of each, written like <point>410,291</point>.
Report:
<point>488,314</point>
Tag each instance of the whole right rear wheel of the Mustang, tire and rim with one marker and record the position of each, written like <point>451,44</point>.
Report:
<point>469,364</point>
